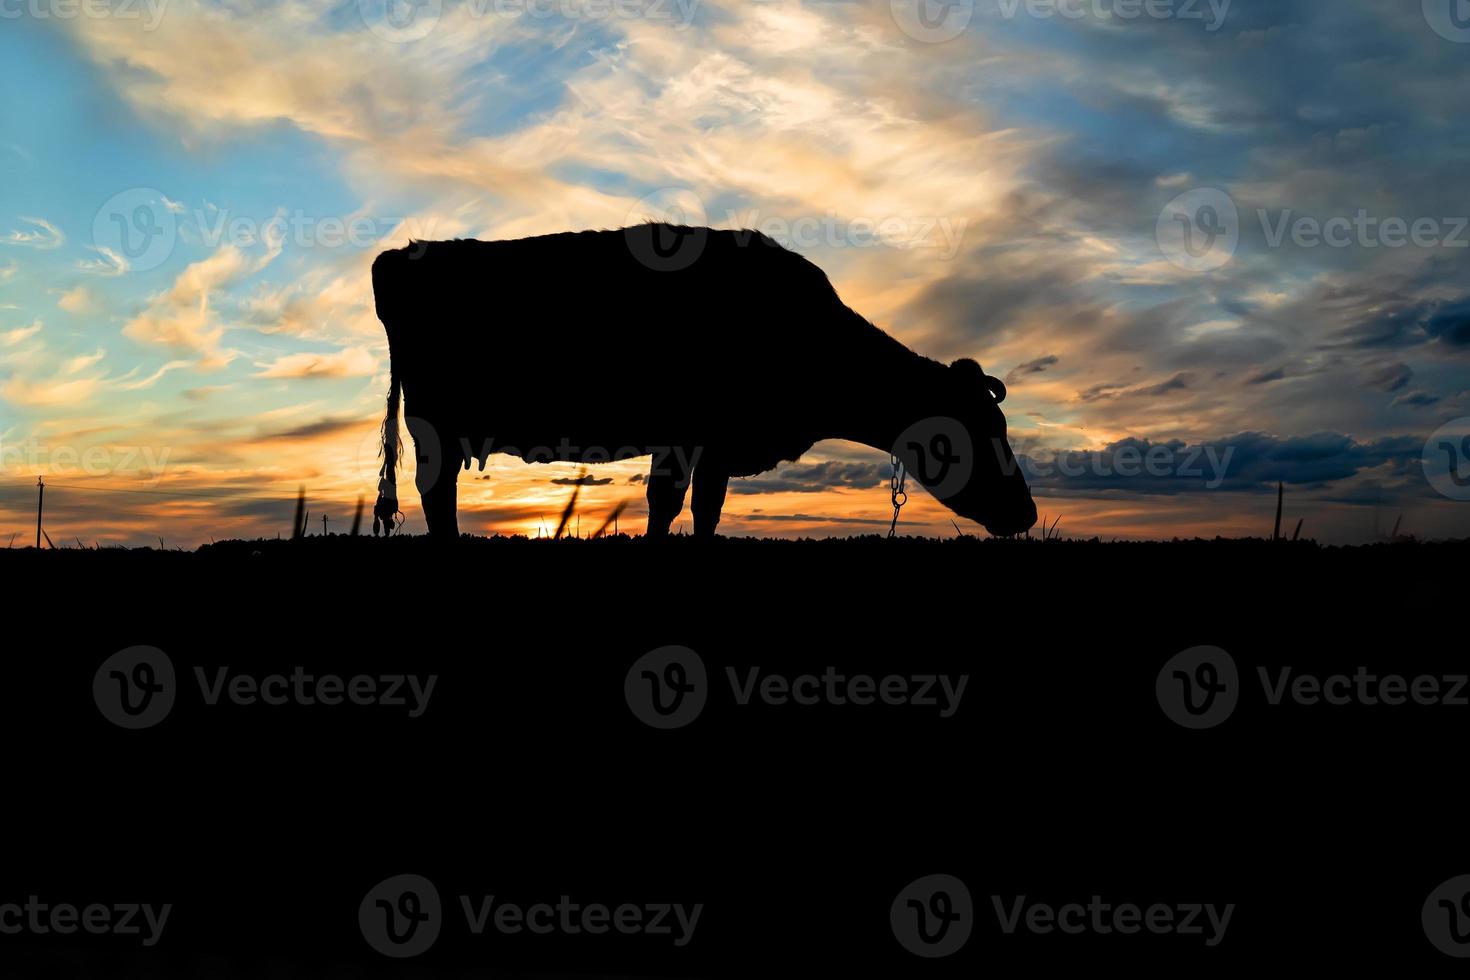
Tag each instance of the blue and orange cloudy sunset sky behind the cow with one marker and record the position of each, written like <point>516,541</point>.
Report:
<point>1211,246</point>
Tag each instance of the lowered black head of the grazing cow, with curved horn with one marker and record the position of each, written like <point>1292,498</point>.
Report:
<point>961,453</point>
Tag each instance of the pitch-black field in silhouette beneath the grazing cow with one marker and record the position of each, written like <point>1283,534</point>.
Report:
<point>528,777</point>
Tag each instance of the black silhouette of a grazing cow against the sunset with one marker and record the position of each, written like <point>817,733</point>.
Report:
<point>718,353</point>
